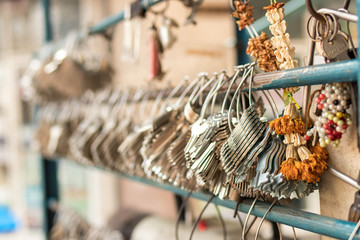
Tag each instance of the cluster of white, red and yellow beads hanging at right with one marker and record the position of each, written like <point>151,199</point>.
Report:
<point>333,120</point>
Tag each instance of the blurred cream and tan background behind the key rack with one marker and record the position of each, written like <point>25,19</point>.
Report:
<point>208,46</point>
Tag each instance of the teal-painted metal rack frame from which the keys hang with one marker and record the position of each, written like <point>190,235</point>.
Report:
<point>347,71</point>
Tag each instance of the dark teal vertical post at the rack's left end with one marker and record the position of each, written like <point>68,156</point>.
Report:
<point>48,167</point>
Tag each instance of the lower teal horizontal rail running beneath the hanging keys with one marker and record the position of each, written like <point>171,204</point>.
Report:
<point>315,223</point>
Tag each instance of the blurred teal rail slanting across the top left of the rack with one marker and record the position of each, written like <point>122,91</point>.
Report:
<point>112,20</point>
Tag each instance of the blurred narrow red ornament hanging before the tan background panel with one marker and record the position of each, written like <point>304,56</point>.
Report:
<point>155,71</point>
